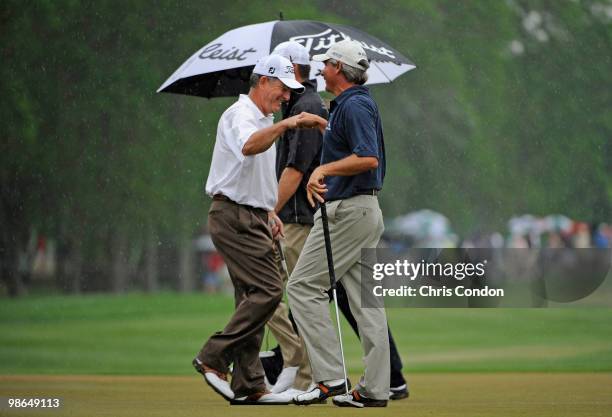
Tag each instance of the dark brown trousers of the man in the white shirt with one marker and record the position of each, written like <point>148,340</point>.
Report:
<point>243,238</point>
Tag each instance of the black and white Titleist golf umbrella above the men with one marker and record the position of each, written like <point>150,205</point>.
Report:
<point>223,66</point>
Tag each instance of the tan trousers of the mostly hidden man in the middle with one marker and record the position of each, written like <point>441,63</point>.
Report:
<point>292,345</point>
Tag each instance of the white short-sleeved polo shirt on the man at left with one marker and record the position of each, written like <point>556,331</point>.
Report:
<point>249,180</point>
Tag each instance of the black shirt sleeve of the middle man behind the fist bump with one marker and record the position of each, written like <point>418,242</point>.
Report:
<point>305,144</point>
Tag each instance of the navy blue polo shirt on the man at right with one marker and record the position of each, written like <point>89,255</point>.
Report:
<point>354,127</point>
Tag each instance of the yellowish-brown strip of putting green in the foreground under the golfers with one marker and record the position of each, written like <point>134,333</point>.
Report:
<point>433,395</point>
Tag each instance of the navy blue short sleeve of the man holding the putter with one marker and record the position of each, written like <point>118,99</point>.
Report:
<point>360,125</point>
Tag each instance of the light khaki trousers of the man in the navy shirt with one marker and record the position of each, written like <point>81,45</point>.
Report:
<point>354,223</point>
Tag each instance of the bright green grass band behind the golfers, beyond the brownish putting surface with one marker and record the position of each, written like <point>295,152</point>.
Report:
<point>140,334</point>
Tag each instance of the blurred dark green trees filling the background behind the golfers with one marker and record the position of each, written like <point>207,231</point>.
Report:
<point>509,111</point>
